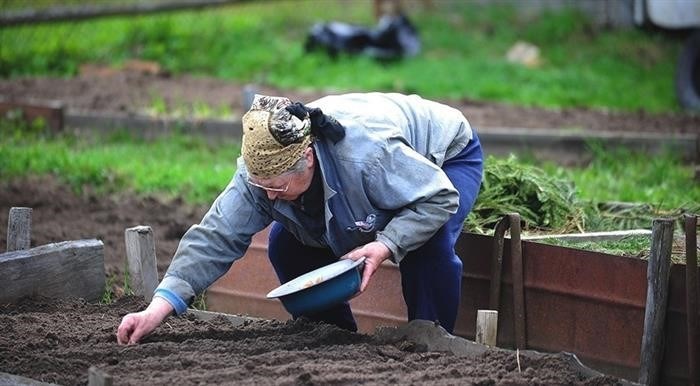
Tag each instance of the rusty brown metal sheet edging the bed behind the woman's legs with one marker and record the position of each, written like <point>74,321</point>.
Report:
<point>587,303</point>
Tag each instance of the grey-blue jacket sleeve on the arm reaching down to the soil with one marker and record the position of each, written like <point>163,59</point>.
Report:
<point>208,249</point>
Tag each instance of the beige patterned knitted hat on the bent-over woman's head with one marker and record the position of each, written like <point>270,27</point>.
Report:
<point>273,139</point>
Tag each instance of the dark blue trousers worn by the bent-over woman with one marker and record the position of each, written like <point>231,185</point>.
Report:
<point>431,275</point>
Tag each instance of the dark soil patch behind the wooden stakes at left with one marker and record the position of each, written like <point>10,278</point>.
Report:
<point>58,214</point>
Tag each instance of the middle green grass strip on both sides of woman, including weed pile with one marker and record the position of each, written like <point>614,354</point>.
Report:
<point>547,195</point>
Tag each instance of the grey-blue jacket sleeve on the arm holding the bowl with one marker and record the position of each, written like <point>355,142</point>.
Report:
<point>403,180</point>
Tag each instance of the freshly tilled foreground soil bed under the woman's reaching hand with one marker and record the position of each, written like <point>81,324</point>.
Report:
<point>58,341</point>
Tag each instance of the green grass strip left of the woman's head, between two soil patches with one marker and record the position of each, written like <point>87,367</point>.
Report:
<point>176,166</point>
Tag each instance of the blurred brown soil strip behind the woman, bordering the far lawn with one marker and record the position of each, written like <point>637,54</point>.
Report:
<point>134,91</point>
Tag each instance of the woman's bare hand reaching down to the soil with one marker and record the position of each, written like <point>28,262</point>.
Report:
<point>136,325</point>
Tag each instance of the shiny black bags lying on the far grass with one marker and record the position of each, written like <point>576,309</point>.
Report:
<point>394,37</point>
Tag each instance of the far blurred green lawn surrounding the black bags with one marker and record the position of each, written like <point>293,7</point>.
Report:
<point>463,56</point>
